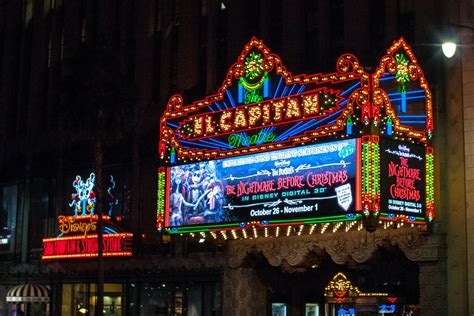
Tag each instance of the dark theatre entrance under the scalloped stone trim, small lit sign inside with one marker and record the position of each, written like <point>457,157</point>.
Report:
<point>386,284</point>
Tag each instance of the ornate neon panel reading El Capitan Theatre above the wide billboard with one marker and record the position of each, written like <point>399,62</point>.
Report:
<point>262,107</point>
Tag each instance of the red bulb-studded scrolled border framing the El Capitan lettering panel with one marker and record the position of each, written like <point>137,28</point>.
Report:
<point>347,66</point>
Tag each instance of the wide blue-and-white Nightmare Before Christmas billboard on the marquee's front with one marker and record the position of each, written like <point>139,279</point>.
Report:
<point>302,182</point>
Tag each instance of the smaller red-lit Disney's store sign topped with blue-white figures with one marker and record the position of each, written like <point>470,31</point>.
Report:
<point>77,237</point>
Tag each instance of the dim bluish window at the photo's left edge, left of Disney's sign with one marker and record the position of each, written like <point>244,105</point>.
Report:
<point>8,210</point>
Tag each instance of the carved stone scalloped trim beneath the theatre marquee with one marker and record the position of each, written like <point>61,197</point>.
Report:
<point>340,246</point>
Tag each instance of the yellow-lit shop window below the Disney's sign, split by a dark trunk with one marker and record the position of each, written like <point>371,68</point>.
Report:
<point>80,299</point>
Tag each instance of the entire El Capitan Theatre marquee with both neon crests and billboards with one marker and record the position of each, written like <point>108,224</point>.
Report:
<point>307,152</point>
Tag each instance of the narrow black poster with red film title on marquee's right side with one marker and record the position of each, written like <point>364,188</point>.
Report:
<point>403,178</point>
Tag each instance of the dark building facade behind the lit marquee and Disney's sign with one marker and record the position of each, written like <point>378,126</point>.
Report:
<point>63,61</point>
